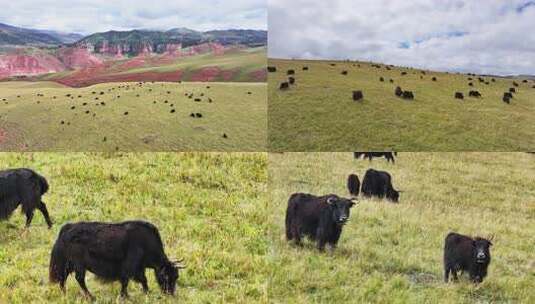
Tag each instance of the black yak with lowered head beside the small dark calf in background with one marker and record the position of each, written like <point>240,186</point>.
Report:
<point>379,184</point>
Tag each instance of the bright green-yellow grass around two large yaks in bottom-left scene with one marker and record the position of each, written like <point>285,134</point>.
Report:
<point>196,201</point>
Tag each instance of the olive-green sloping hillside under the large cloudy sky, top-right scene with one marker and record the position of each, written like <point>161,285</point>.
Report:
<point>318,113</point>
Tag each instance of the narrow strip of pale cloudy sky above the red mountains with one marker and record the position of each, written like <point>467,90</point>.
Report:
<point>90,16</point>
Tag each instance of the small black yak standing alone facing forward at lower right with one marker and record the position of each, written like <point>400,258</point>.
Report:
<point>466,254</point>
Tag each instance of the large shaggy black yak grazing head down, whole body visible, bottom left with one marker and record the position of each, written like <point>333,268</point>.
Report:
<point>113,252</point>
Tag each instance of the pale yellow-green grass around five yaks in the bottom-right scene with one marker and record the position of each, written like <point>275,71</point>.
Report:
<point>392,253</point>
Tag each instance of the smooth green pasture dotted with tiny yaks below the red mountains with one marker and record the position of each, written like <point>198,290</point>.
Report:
<point>33,123</point>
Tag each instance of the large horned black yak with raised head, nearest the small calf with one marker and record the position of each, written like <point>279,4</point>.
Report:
<point>321,218</point>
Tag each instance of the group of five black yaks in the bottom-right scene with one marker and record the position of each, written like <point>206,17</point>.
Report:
<point>322,218</point>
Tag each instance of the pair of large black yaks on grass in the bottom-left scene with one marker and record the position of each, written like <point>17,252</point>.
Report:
<point>112,251</point>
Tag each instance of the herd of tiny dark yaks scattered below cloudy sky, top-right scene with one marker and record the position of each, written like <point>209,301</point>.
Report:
<point>358,95</point>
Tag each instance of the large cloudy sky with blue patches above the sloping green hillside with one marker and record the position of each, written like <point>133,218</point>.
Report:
<point>491,36</point>
